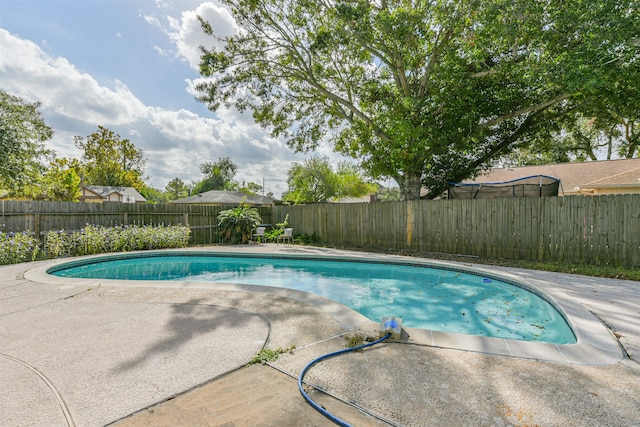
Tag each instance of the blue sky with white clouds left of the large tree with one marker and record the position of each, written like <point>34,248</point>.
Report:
<point>130,66</point>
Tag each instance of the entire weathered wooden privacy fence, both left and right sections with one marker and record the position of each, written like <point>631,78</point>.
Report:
<point>599,230</point>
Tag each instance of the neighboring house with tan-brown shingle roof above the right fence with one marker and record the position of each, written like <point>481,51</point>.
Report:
<point>579,178</point>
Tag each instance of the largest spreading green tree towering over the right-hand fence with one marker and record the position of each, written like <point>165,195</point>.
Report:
<point>423,92</point>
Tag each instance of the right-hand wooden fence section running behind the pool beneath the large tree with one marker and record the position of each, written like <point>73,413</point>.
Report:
<point>598,230</point>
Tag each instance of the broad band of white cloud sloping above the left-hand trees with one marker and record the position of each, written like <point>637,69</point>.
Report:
<point>175,143</point>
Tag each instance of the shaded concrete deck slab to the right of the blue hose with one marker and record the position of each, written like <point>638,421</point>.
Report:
<point>415,385</point>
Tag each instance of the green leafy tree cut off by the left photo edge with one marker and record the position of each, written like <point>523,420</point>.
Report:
<point>23,134</point>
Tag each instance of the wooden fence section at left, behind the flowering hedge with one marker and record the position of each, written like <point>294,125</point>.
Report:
<point>40,217</point>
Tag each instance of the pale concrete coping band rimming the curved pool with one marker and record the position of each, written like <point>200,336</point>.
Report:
<point>596,345</point>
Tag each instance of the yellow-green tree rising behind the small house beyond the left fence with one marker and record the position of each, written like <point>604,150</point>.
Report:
<point>110,160</point>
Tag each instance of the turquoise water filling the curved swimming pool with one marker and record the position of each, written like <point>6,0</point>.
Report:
<point>424,297</point>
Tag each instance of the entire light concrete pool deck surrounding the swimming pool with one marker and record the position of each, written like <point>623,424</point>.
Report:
<point>97,352</point>
